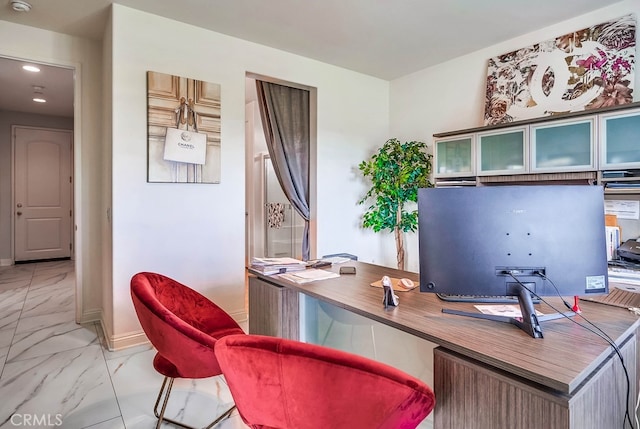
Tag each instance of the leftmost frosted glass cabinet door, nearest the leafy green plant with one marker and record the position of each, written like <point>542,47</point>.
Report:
<point>454,157</point>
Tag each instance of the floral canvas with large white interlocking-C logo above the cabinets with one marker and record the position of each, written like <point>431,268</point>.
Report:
<point>586,69</point>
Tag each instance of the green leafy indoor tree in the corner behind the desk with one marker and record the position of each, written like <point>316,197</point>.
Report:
<point>396,172</point>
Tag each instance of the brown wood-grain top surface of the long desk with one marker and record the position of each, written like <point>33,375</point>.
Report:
<point>562,360</point>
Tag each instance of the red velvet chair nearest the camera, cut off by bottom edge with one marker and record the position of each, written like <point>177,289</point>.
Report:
<point>285,384</point>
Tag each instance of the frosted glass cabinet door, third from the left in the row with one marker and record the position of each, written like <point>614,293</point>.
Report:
<point>563,146</point>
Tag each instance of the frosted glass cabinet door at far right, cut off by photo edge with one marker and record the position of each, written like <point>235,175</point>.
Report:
<point>620,140</point>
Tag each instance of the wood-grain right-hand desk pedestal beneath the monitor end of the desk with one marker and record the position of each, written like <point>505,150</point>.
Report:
<point>473,395</point>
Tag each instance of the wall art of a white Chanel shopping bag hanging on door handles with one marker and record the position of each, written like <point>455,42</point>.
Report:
<point>183,120</point>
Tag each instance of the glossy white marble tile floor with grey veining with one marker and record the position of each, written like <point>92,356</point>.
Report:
<point>56,373</point>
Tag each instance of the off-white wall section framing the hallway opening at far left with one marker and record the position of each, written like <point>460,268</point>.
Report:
<point>23,42</point>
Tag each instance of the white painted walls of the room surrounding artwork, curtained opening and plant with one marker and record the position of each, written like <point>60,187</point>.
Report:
<point>196,232</point>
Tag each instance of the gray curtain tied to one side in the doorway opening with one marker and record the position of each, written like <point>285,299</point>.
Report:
<point>285,119</point>
